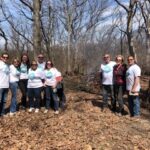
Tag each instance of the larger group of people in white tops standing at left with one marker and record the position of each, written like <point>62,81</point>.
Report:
<point>39,81</point>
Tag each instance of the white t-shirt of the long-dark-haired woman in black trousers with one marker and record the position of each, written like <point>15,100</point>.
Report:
<point>23,71</point>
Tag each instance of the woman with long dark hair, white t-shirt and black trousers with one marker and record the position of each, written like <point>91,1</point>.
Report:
<point>24,67</point>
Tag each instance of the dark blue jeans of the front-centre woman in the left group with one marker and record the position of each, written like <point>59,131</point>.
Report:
<point>34,93</point>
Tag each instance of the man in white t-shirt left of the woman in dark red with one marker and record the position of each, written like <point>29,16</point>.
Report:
<point>106,74</point>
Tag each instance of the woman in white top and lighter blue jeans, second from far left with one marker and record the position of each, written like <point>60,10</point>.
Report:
<point>14,79</point>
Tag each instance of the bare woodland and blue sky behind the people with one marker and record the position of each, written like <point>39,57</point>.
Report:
<point>75,34</point>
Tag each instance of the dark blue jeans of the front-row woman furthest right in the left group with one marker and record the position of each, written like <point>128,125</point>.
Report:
<point>51,95</point>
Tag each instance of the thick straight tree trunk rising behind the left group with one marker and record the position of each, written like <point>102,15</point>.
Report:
<point>36,28</point>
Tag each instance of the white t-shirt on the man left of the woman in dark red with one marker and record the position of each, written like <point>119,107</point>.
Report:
<point>107,73</point>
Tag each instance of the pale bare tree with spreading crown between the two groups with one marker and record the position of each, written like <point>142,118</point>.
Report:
<point>79,17</point>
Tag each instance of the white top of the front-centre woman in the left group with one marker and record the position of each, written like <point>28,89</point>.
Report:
<point>35,78</point>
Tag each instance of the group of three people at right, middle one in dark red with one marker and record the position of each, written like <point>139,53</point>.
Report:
<point>118,78</point>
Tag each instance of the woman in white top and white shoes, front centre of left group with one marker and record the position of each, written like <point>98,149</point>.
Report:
<point>35,84</point>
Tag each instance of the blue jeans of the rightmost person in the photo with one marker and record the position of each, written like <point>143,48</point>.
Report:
<point>134,105</point>
